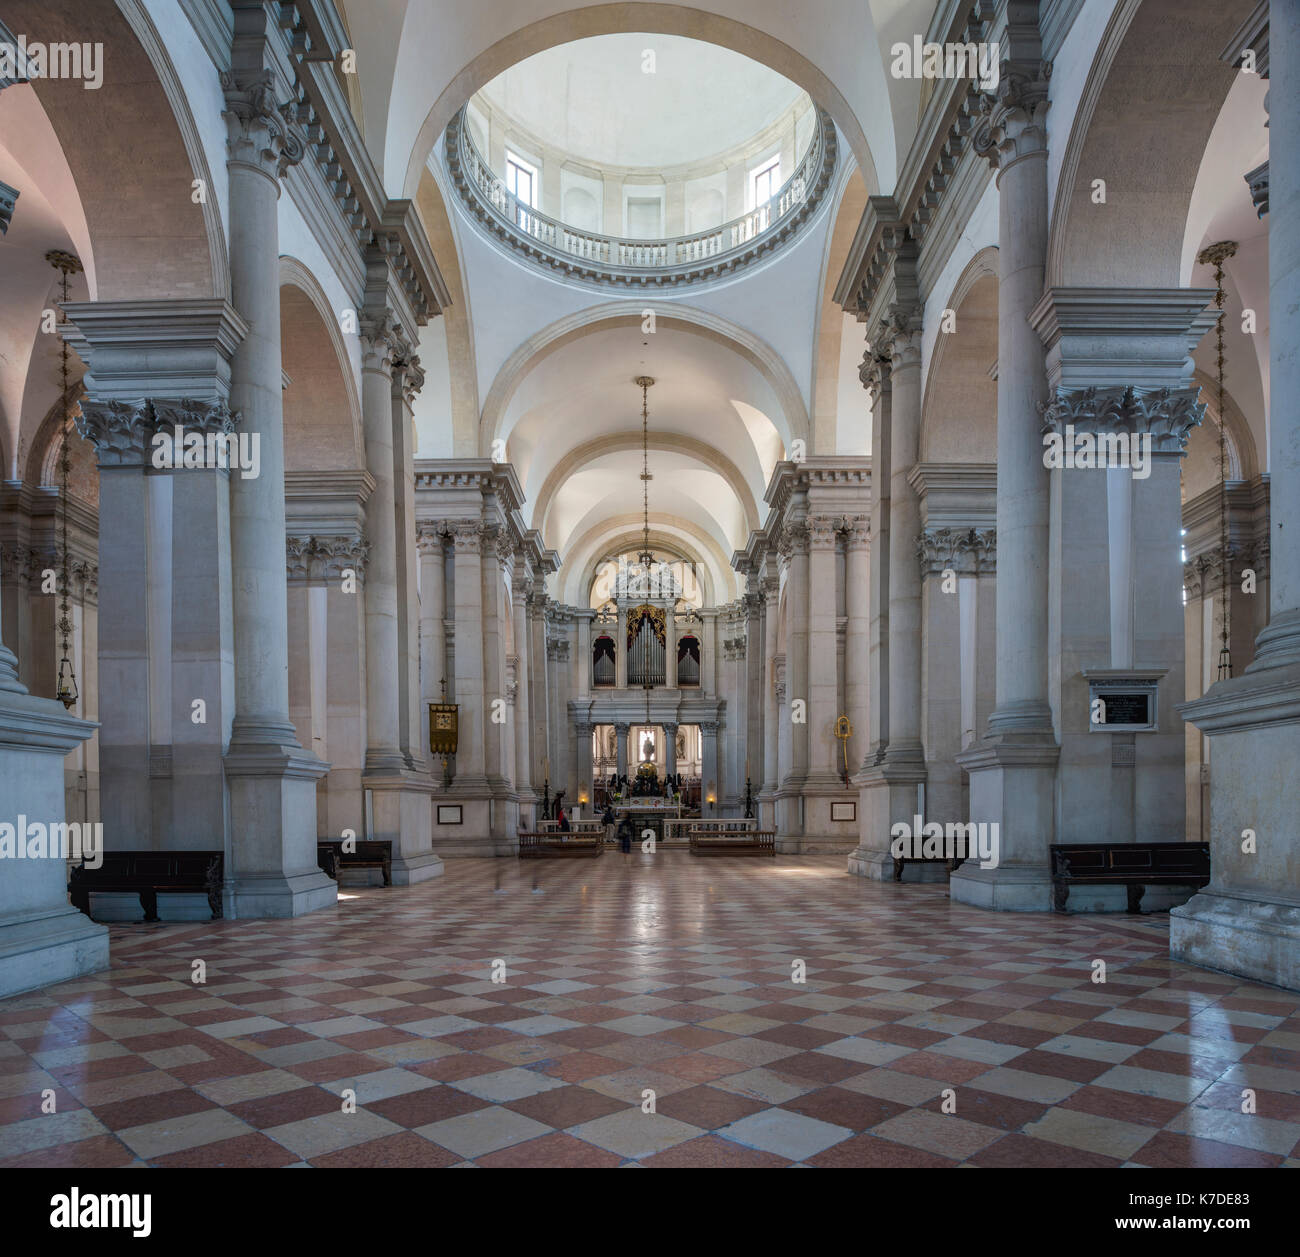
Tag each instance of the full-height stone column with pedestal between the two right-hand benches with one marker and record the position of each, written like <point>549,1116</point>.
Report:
<point>1013,770</point>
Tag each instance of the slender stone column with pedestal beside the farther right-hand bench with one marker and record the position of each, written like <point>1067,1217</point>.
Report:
<point>894,790</point>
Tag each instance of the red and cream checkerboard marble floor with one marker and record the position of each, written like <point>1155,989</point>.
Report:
<point>664,974</point>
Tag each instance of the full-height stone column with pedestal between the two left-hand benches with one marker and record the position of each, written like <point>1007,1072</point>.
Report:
<point>272,868</point>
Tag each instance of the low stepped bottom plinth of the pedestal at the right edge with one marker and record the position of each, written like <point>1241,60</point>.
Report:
<point>1251,938</point>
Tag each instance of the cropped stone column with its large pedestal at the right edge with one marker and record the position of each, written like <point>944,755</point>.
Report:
<point>1247,921</point>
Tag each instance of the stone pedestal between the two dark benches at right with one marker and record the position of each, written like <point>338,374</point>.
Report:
<point>1012,788</point>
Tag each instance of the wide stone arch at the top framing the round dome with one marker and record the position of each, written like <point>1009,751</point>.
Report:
<point>639,16</point>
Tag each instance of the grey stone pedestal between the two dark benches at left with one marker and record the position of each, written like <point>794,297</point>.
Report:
<point>272,866</point>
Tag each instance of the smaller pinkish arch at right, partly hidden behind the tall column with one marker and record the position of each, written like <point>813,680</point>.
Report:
<point>959,413</point>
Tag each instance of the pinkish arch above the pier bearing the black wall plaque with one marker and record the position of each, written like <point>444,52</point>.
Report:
<point>1142,127</point>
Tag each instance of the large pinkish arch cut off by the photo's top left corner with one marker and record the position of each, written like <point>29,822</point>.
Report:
<point>128,218</point>
